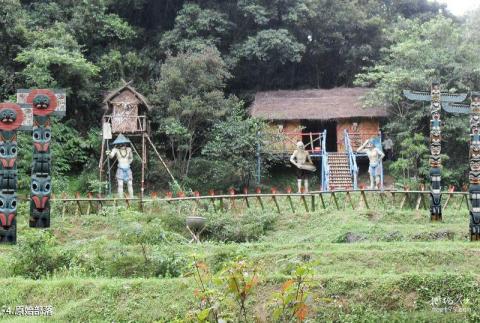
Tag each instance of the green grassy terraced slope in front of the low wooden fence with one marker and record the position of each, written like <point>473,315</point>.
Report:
<point>398,264</point>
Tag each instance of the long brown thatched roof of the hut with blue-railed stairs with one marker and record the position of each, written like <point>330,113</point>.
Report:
<point>336,103</point>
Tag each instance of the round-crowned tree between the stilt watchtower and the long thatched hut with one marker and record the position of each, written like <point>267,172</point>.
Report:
<point>189,99</point>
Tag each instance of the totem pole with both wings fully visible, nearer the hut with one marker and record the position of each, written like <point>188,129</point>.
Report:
<point>437,99</point>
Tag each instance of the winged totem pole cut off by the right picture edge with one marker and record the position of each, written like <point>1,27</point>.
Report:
<point>474,174</point>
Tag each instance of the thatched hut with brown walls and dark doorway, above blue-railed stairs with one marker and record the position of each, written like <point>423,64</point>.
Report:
<point>317,110</point>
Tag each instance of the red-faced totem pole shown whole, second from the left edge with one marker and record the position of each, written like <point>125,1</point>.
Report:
<point>45,103</point>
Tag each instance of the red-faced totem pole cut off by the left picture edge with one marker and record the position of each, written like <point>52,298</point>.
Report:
<point>13,117</point>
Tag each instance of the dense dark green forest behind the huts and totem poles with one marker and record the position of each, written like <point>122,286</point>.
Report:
<point>200,62</point>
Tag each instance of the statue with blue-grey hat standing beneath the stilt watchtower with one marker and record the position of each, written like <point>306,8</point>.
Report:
<point>124,157</point>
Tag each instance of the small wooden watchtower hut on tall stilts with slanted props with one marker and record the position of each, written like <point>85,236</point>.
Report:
<point>126,113</point>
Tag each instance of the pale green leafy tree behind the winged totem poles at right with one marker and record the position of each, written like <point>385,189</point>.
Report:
<point>419,52</point>
